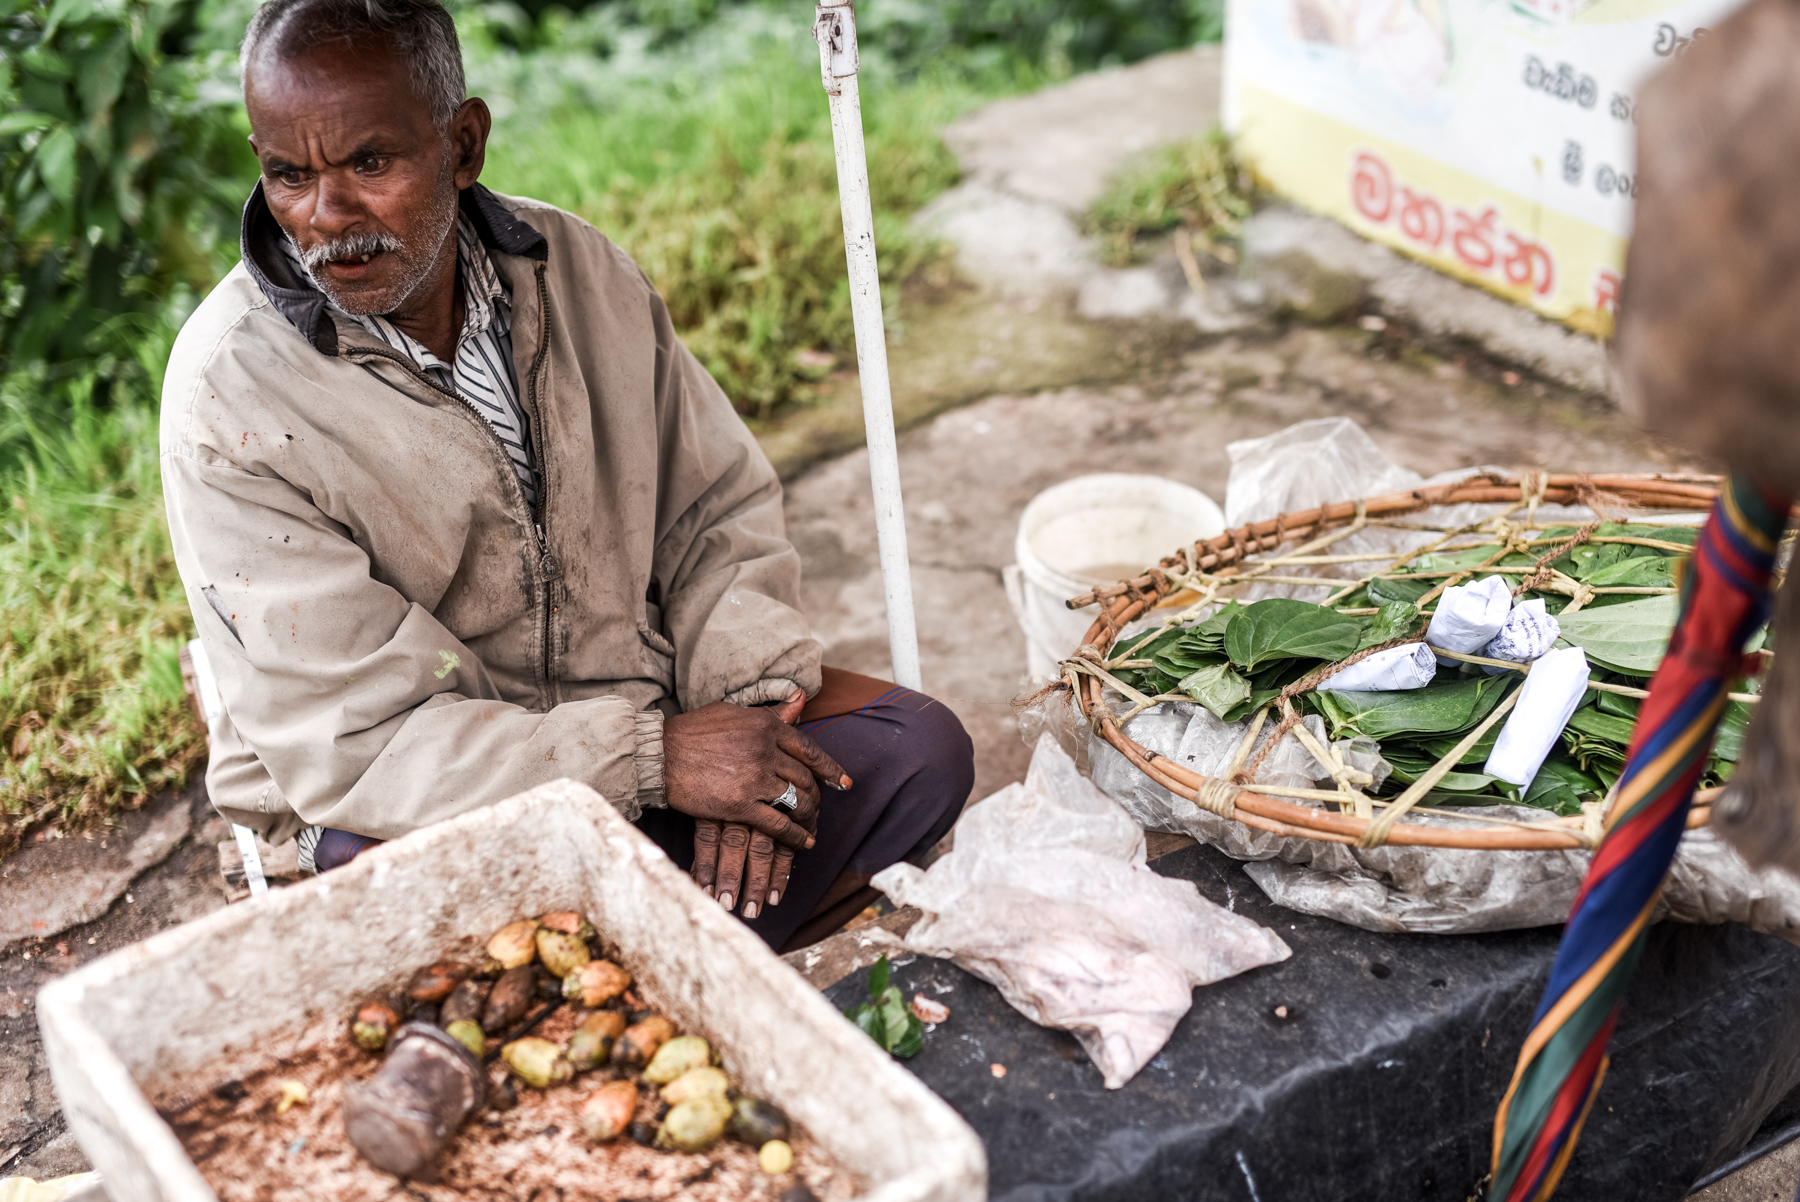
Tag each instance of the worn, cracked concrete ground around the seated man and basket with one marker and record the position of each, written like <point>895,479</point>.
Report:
<point>1025,366</point>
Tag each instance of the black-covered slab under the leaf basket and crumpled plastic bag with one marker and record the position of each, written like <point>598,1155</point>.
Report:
<point>1367,1068</point>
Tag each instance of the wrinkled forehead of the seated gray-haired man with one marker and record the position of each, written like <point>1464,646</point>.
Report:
<point>354,87</point>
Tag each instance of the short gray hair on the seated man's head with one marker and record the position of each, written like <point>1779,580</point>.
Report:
<point>420,31</point>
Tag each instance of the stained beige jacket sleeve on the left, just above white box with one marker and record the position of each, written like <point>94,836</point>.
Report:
<point>366,713</point>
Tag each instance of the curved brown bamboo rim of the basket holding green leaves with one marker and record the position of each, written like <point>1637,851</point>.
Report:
<point>1223,557</point>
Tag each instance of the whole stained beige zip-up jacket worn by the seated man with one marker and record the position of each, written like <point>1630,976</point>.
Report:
<point>397,636</point>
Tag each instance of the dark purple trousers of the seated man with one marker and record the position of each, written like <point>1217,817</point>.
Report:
<point>913,767</point>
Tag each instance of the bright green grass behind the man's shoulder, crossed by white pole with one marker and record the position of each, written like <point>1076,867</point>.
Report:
<point>726,195</point>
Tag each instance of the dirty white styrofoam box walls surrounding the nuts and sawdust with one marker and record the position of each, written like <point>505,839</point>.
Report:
<point>217,992</point>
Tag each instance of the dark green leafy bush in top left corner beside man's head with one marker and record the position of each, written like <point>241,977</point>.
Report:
<point>120,184</point>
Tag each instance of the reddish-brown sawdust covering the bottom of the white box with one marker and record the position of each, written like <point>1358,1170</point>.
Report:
<point>249,1153</point>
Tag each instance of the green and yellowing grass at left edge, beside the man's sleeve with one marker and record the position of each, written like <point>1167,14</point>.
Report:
<point>93,616</point>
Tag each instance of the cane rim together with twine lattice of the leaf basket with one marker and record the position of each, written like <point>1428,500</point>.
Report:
<point>1192,580</point>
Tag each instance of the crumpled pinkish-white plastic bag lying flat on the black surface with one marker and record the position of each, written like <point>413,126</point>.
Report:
<point>1048,899</point>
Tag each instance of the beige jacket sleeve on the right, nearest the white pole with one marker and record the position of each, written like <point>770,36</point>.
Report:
<point>726,573</point>
